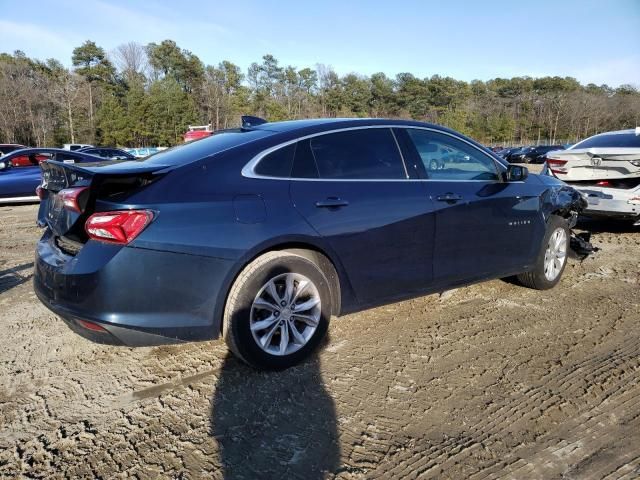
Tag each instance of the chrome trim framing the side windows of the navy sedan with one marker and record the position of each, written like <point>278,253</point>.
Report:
<point>248,170</point>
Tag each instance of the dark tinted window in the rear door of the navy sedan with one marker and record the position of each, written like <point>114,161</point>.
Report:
<point>358,154</point>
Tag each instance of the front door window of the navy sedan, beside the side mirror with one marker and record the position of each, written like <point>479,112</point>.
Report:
<point>446,158</point>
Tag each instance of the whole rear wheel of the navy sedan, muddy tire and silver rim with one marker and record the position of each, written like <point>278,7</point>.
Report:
<point>278,311</point>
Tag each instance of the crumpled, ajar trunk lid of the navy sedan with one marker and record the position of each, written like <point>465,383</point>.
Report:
<point>100,180</point>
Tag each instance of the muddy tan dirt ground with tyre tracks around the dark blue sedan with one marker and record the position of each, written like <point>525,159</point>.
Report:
<point>489,381</point>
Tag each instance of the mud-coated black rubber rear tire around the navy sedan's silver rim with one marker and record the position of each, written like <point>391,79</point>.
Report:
<point>240,312</point>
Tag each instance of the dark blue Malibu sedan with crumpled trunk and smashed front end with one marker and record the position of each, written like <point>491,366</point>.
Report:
<point>263,233</point>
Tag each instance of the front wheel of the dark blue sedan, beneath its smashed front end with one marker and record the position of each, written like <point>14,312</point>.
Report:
<point>552,258</point>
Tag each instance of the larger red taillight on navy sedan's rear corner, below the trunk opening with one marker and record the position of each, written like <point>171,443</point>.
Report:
<point>117,227</point>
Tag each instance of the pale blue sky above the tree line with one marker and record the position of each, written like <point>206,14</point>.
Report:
<point>594,41</point>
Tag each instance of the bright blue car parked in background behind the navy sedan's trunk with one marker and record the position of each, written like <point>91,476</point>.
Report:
<point>20,172</point>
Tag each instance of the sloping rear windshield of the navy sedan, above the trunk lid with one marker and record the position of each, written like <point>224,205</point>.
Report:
<point>205,147</point>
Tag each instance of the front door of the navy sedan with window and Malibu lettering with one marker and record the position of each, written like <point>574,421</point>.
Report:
<point>483,225</point>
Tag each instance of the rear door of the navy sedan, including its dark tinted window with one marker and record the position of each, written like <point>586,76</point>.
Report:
<point>353,188</point>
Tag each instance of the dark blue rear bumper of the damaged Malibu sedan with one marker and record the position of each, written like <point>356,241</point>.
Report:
<point>138,296</point>
